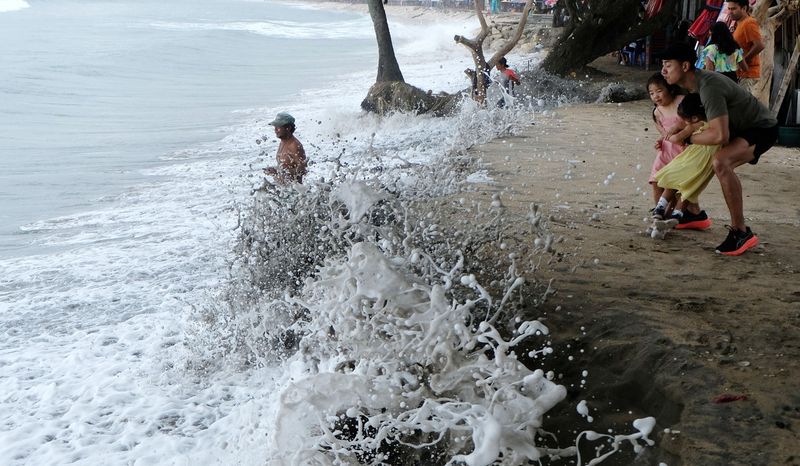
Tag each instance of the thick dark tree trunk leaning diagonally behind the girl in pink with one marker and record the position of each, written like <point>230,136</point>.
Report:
<point>606,26</point>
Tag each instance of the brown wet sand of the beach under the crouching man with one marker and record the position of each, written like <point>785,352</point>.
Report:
<point>663,327</point>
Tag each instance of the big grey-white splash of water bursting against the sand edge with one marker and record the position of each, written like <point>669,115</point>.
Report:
<point>397,305</point>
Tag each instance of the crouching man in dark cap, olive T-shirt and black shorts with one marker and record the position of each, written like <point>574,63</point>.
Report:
<point>737,121</point>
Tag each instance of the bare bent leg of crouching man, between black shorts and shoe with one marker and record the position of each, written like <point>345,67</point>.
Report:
<point>726,160</point>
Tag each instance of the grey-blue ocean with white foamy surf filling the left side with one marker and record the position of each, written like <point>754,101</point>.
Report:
<point>132,138</point>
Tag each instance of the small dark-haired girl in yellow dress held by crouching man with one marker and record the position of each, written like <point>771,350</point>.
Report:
<point>690,172</point>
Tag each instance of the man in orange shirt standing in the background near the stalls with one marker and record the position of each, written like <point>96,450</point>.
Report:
<point>748,36</point>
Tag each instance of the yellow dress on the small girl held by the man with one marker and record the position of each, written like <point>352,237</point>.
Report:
<point>689,172</point>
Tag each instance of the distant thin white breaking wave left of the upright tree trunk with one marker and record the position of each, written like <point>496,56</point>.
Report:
<point>353,29</point>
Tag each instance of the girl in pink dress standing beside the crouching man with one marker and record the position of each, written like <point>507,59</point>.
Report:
<point>665,113</point>
